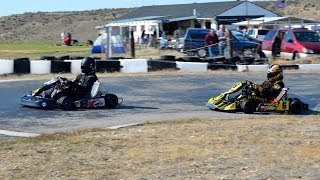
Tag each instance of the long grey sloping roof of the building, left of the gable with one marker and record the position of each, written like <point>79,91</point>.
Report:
<point>203,10</point>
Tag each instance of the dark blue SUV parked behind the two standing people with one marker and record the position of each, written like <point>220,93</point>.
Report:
<point>194,43</point>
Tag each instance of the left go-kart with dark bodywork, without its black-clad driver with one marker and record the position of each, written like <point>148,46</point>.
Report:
<point>96,99</point>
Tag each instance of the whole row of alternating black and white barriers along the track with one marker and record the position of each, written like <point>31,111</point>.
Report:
<point>25,66</point>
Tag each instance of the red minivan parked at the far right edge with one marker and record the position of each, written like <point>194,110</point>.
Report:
<point>291,43</point>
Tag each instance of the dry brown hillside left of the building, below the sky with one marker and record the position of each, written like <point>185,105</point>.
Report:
<point>47,27</point>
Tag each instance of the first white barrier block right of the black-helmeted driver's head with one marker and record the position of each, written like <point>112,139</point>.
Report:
<point>134,65</point>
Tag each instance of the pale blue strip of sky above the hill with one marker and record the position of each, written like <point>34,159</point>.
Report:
<point>9,7</point>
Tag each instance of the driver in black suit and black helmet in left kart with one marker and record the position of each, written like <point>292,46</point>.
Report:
<point>79,87</point>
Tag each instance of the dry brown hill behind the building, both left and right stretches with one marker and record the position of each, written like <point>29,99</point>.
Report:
<point>47,27</point>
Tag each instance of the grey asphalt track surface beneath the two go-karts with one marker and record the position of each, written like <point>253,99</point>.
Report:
<point>145,98</point>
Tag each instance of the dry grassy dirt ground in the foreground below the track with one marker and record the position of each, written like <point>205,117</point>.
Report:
<point>281,147</point>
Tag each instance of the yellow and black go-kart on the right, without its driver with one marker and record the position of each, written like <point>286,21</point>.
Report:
<point>248,101</point>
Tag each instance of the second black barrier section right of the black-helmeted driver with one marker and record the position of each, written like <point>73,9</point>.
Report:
<point>156,65</point>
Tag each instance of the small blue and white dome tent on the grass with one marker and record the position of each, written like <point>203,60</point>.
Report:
<point>99,45</point>
